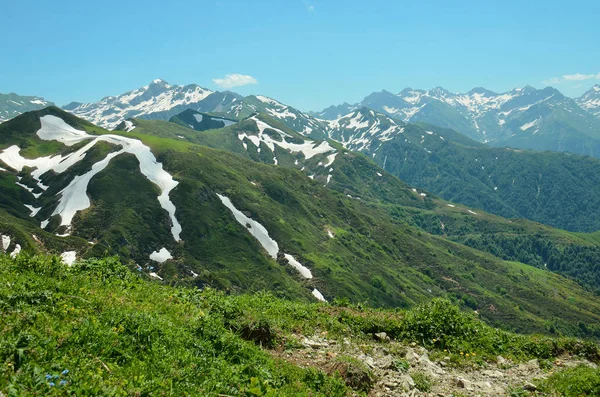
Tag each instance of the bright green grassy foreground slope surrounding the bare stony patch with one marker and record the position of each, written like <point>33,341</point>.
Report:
<point>118,334</point>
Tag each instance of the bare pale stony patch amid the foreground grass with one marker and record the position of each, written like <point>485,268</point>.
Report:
<point>396,369</point>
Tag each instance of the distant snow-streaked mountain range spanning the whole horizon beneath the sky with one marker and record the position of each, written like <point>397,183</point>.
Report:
<point>525,118</point>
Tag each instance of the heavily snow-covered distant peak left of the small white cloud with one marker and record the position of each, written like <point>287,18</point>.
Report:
<point>158,98</point>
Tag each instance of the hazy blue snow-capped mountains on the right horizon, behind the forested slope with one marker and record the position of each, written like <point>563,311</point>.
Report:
<point>523,117</point>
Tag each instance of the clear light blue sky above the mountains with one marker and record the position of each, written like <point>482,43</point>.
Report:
<point>307,53</point>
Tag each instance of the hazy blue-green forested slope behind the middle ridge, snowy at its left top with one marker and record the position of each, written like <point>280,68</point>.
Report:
<point>557,189</point>
